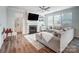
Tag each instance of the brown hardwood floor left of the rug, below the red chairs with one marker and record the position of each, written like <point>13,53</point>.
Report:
<point>19,44</point>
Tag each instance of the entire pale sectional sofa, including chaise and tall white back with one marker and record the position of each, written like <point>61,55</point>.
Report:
<point>58,44</point>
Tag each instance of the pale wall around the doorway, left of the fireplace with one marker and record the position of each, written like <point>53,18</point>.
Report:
<point>13,14</point>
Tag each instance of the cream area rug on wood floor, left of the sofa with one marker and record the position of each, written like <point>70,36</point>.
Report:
<point>32,39</point>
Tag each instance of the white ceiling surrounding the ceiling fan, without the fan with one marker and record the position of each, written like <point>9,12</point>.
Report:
<point>37,10</point>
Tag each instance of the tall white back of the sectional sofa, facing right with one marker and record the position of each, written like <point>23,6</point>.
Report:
<point>66,38</point>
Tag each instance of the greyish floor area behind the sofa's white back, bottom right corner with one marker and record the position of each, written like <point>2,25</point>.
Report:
<point>73,46</point>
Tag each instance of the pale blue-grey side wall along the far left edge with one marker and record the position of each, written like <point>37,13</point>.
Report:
<point>3,21</point>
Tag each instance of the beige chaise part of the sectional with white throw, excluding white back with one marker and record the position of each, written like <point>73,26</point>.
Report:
<point>49,40</point>
